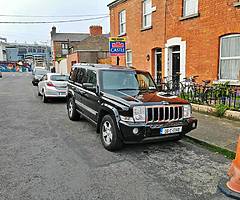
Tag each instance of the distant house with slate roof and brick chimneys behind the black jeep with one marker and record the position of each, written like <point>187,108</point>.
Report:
<point>71,48</point>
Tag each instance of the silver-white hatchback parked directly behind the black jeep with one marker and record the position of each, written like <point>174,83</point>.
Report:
<point>53,85</point>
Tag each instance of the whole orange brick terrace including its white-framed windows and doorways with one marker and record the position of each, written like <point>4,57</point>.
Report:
<point>193,37</point>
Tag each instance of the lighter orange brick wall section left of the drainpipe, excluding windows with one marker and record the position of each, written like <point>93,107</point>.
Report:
<point>140,42</point>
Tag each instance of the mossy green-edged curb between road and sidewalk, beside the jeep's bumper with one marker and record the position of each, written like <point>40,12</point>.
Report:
<point>212,147</point>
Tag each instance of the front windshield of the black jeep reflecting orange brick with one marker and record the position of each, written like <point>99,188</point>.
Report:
<point>127,80</point>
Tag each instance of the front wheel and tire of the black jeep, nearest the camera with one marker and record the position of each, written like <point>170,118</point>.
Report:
<point>109,134</point>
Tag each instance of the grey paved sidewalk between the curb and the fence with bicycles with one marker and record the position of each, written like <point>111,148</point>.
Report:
<point>216,131</point>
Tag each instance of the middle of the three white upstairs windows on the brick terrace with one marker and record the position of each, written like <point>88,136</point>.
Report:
<point>147,13</point>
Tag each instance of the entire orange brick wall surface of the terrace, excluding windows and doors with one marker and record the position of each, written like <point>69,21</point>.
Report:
<point>202,34</point>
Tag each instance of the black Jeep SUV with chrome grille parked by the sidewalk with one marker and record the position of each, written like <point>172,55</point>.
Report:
<point>125,105</point>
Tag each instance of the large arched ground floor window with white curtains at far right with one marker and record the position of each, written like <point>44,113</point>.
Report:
<point>230,57</point>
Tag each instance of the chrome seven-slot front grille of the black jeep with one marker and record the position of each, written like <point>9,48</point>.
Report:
<point>164,113</point>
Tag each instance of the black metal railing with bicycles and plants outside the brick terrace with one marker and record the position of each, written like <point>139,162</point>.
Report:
<point>223,94</point>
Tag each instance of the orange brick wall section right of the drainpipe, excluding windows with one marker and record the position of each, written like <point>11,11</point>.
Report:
<point>202,34</point>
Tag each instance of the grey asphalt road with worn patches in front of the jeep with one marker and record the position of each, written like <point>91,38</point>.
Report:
<point>44,155</point>
